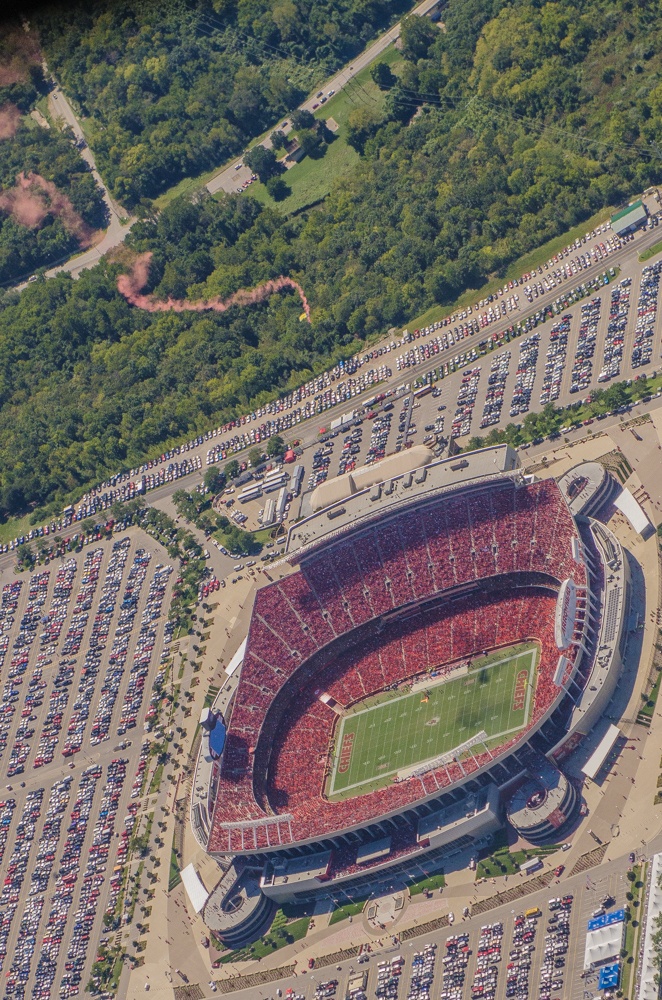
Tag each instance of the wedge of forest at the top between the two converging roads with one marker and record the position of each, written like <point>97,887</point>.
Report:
<point>172,90</point>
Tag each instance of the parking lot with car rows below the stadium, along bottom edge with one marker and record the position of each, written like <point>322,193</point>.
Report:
<point>528,949</point>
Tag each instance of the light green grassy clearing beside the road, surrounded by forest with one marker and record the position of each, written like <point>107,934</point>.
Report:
<point>311,180</point>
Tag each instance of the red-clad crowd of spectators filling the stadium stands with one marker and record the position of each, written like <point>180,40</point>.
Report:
<point>468,536</point>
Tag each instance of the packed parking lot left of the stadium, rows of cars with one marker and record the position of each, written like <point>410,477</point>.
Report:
<point>81,642</point>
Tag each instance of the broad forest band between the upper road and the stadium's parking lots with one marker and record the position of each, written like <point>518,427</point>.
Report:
<point>506,127</point>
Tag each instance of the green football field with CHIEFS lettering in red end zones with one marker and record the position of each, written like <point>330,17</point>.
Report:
<point>394,731</point>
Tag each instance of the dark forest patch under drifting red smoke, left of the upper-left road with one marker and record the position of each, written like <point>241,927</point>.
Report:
<point>50,204</point>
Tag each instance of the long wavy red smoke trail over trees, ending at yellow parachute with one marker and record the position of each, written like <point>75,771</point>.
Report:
<point>131,285</point>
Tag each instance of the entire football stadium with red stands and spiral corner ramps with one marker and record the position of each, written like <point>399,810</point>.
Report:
<point>440,636</point>
